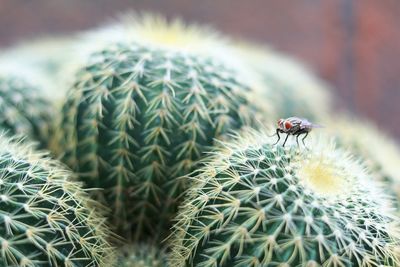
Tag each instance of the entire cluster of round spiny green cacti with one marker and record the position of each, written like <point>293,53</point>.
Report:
<point>160,123</point>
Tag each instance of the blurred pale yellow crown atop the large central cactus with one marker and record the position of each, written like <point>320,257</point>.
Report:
<point>156,31</point>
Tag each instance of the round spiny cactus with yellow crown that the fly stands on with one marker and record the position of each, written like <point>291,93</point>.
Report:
<point>256,204</point>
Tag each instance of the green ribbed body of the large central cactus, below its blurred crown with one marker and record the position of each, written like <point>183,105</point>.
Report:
<point>137,121</point>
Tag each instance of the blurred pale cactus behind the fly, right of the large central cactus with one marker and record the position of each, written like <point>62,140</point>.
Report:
<point>291,86</point>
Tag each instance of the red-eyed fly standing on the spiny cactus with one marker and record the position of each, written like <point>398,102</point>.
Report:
<point>294,126</point>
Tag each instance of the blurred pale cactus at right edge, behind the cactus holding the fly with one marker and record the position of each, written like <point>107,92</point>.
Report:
<point>373,146</point>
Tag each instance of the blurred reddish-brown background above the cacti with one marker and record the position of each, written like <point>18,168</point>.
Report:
<point>355,45</point>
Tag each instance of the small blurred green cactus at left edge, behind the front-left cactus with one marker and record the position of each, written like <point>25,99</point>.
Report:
<point>24,111</point>
